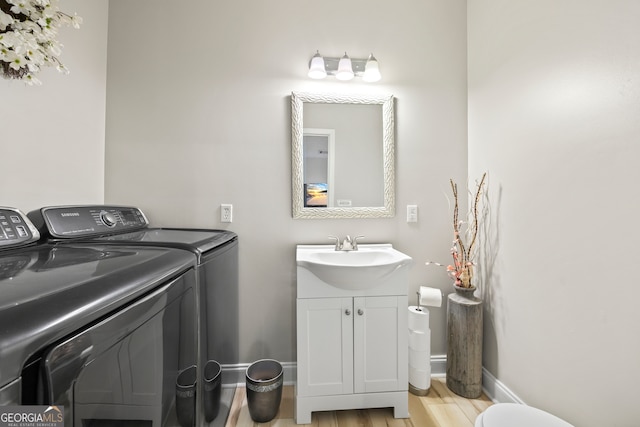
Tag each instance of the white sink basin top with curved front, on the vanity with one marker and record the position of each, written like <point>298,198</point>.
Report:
<point>370,266</point>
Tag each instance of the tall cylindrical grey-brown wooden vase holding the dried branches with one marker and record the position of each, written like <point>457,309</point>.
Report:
<point>464,343</point>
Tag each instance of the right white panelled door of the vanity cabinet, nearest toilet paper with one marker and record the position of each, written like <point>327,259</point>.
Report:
<point>380,344</point>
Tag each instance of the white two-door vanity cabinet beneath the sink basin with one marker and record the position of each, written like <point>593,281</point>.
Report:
<point>351,346</point>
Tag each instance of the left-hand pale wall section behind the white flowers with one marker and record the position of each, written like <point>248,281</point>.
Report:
<point>52,136</point>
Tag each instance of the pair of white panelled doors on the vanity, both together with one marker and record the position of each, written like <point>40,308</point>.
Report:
<point>350,345</point>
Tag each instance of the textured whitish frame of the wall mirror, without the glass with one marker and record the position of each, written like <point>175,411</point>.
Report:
<point>388,146</point>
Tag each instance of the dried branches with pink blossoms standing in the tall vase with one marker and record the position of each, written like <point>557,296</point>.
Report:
<point>462,268</point>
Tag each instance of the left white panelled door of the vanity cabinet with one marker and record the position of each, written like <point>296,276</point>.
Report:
<point>325,346</point>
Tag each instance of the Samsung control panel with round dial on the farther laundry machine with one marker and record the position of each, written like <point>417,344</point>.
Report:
<point>67,222</point>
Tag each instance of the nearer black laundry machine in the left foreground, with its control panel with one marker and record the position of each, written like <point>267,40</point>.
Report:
<point>105,332</point>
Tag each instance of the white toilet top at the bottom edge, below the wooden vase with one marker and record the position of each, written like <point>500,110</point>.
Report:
<point>513,414</point>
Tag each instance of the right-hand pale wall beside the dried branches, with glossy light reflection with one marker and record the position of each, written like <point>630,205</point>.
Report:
<point>554,96</point>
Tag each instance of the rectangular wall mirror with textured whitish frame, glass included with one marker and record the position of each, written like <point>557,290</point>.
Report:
<point>342,157</point>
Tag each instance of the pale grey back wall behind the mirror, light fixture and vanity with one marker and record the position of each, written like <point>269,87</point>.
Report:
<point>198,114</point>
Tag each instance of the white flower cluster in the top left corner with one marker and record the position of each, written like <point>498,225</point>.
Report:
<point>28,30</point>
